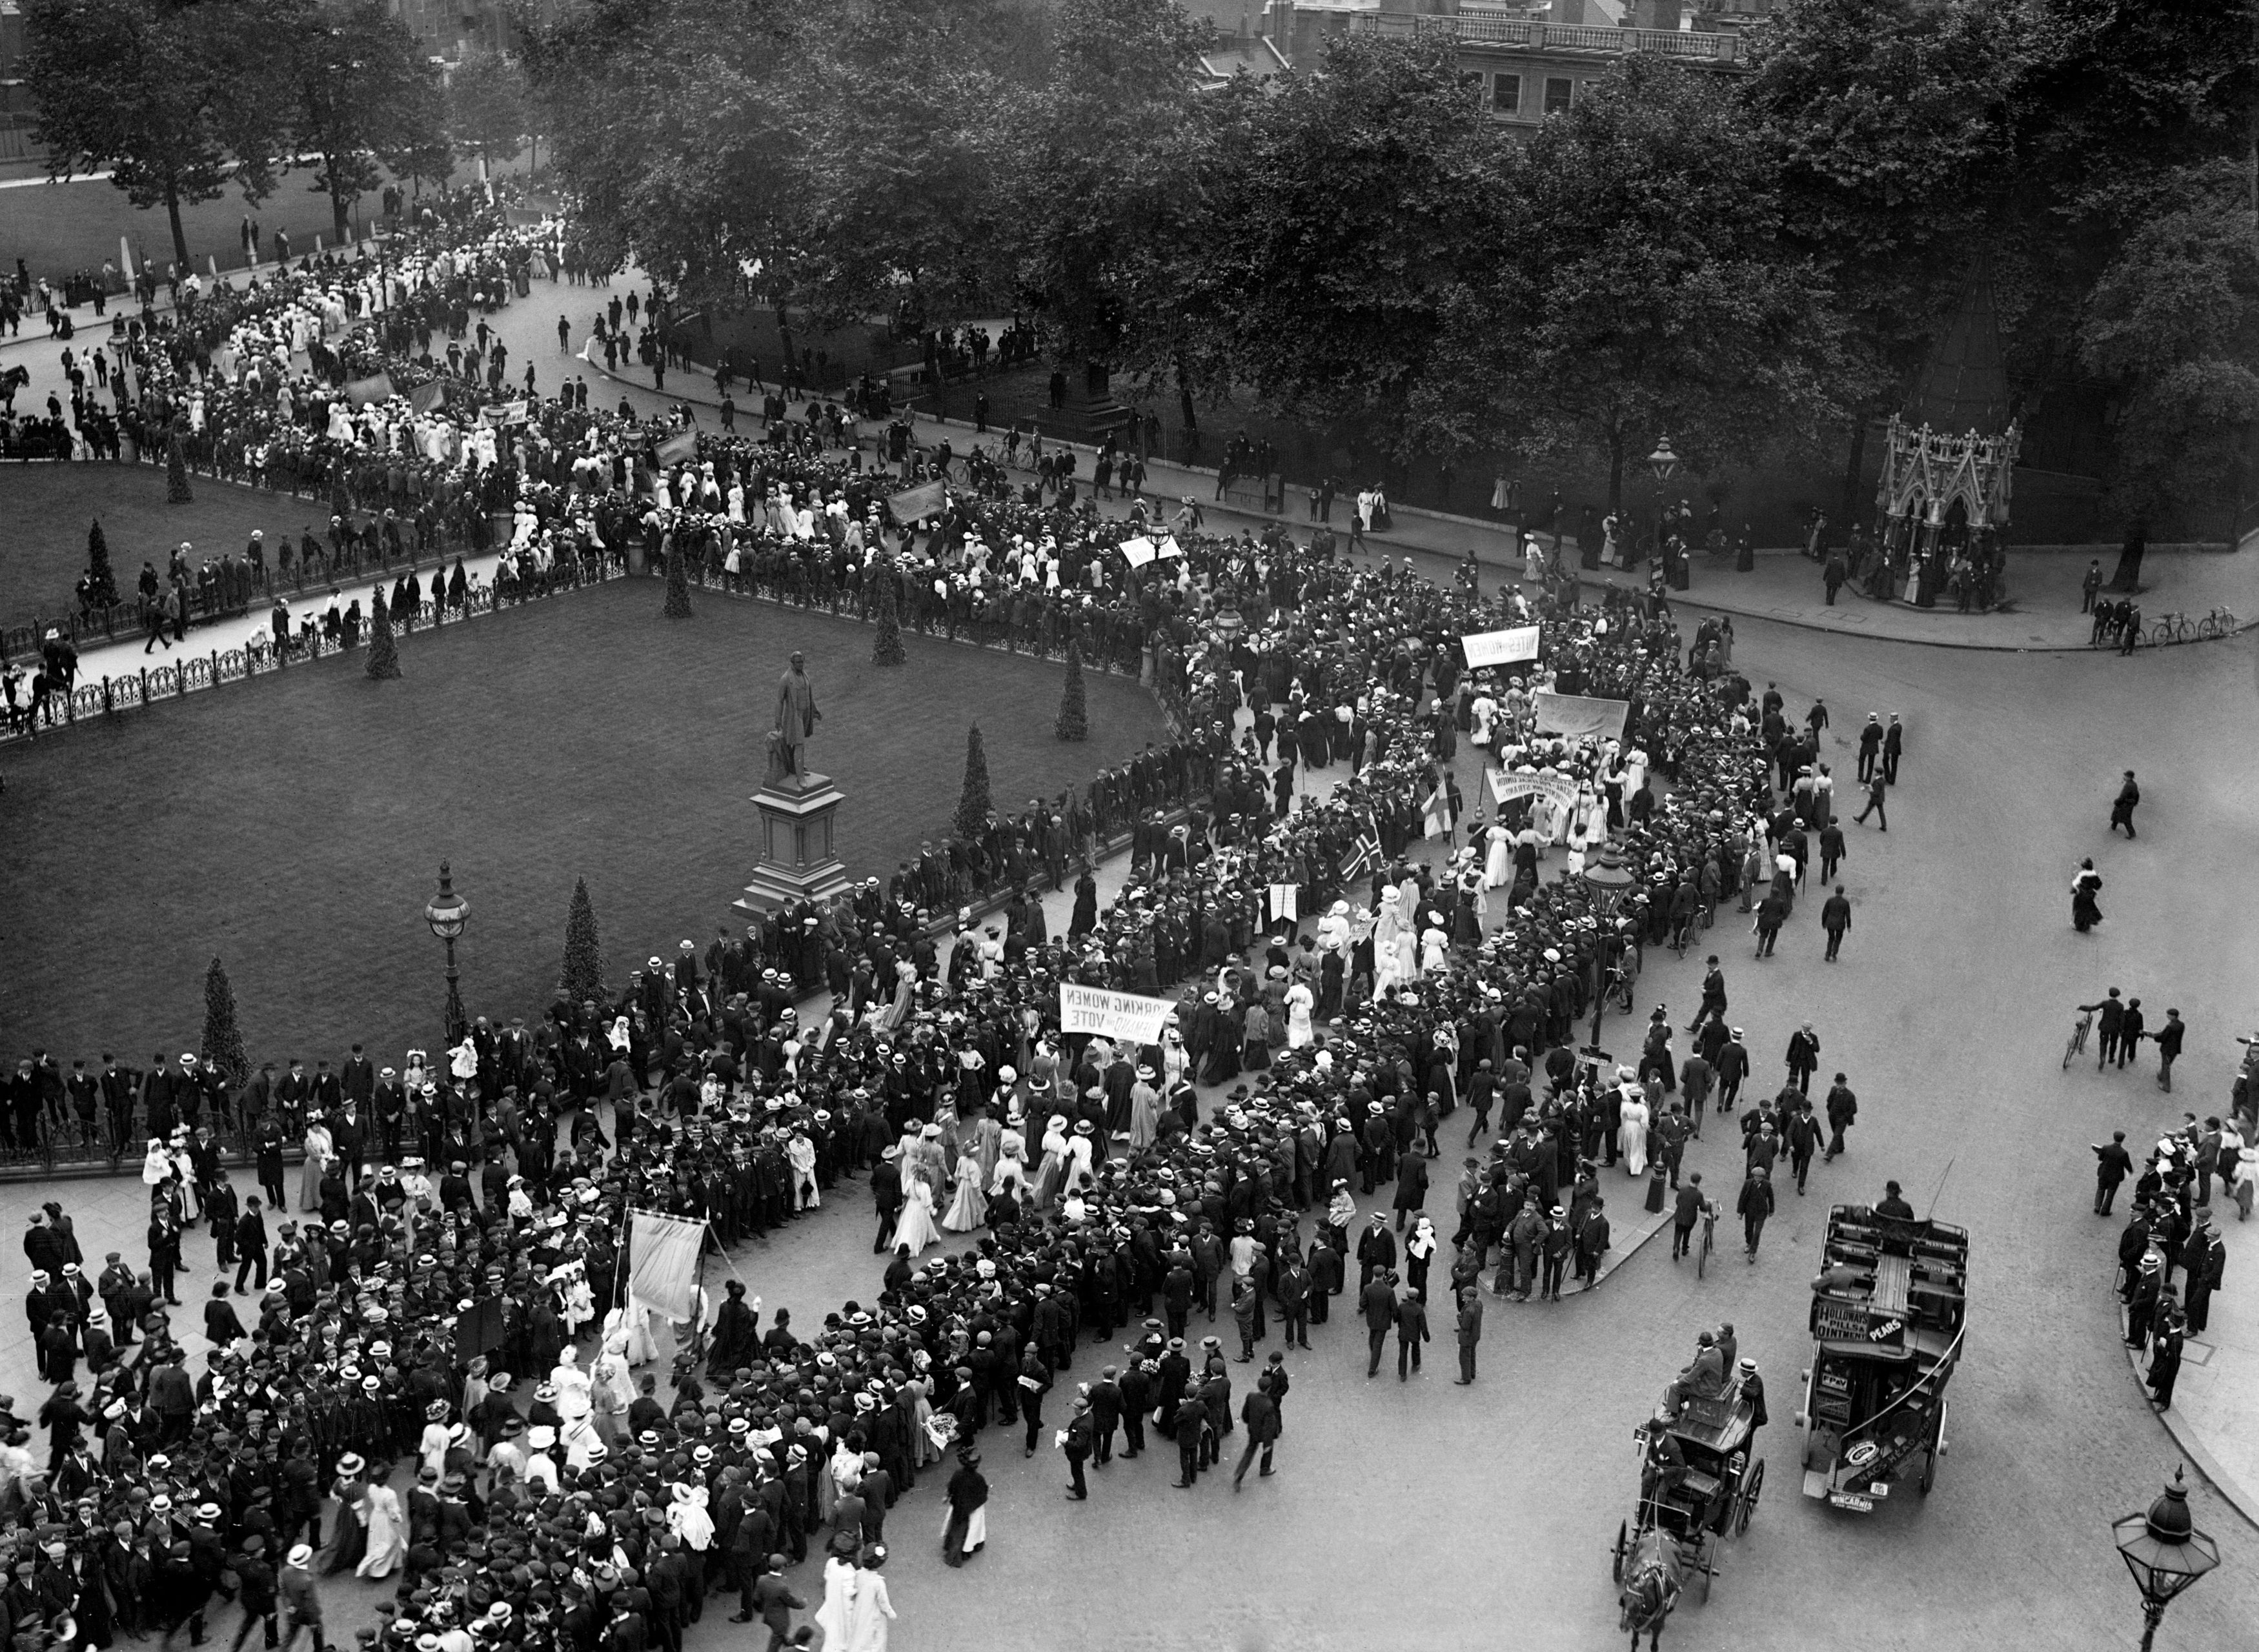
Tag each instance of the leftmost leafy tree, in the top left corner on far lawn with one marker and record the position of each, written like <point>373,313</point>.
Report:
<point>171,98</point>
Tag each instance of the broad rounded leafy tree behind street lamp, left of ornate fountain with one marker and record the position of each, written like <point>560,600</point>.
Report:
<point>1641,290</point>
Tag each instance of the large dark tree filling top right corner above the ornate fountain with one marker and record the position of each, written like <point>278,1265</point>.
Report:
<point>1917,132</point>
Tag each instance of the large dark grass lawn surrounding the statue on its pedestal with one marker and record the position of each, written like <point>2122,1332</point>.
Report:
<point>295,826</point>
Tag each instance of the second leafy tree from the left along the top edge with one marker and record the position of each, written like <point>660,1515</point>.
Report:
<point>363,98</point>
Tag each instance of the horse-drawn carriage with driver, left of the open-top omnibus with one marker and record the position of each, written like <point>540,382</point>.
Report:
<point>1698,1486</point>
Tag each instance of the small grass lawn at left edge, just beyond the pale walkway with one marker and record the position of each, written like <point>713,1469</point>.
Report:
<point>51,507</point>
